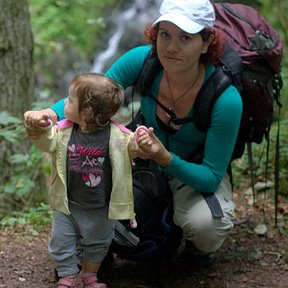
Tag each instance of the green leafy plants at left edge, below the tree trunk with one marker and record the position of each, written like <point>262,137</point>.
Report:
<point>23,179</point>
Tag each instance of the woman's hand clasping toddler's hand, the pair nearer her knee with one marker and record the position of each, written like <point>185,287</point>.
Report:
<point>147,146</point>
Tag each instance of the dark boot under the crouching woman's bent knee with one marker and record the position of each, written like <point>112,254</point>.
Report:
<point>196,257</point>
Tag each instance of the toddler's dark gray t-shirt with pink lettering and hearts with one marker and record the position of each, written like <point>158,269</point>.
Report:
<point>89,175</point>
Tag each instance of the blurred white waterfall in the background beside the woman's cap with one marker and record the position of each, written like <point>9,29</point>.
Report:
<point>140,13</point>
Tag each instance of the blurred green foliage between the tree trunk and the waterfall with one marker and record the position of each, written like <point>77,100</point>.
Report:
<point>66,34</point>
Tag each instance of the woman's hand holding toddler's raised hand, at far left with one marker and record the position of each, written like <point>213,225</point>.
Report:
<point>35,121</point>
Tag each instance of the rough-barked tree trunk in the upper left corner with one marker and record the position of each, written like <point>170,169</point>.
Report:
<point>16,59</point>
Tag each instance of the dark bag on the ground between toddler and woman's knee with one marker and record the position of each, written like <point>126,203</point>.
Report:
<point>156,236</point>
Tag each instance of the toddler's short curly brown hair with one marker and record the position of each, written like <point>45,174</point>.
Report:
<point>99,98</point>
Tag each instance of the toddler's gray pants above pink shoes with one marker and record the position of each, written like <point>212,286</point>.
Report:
<point>88,231</point>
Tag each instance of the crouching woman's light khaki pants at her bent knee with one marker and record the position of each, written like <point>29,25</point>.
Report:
<point>194,217</point>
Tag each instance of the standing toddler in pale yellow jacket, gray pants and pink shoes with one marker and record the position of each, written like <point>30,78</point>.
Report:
<point>91,183</point>
